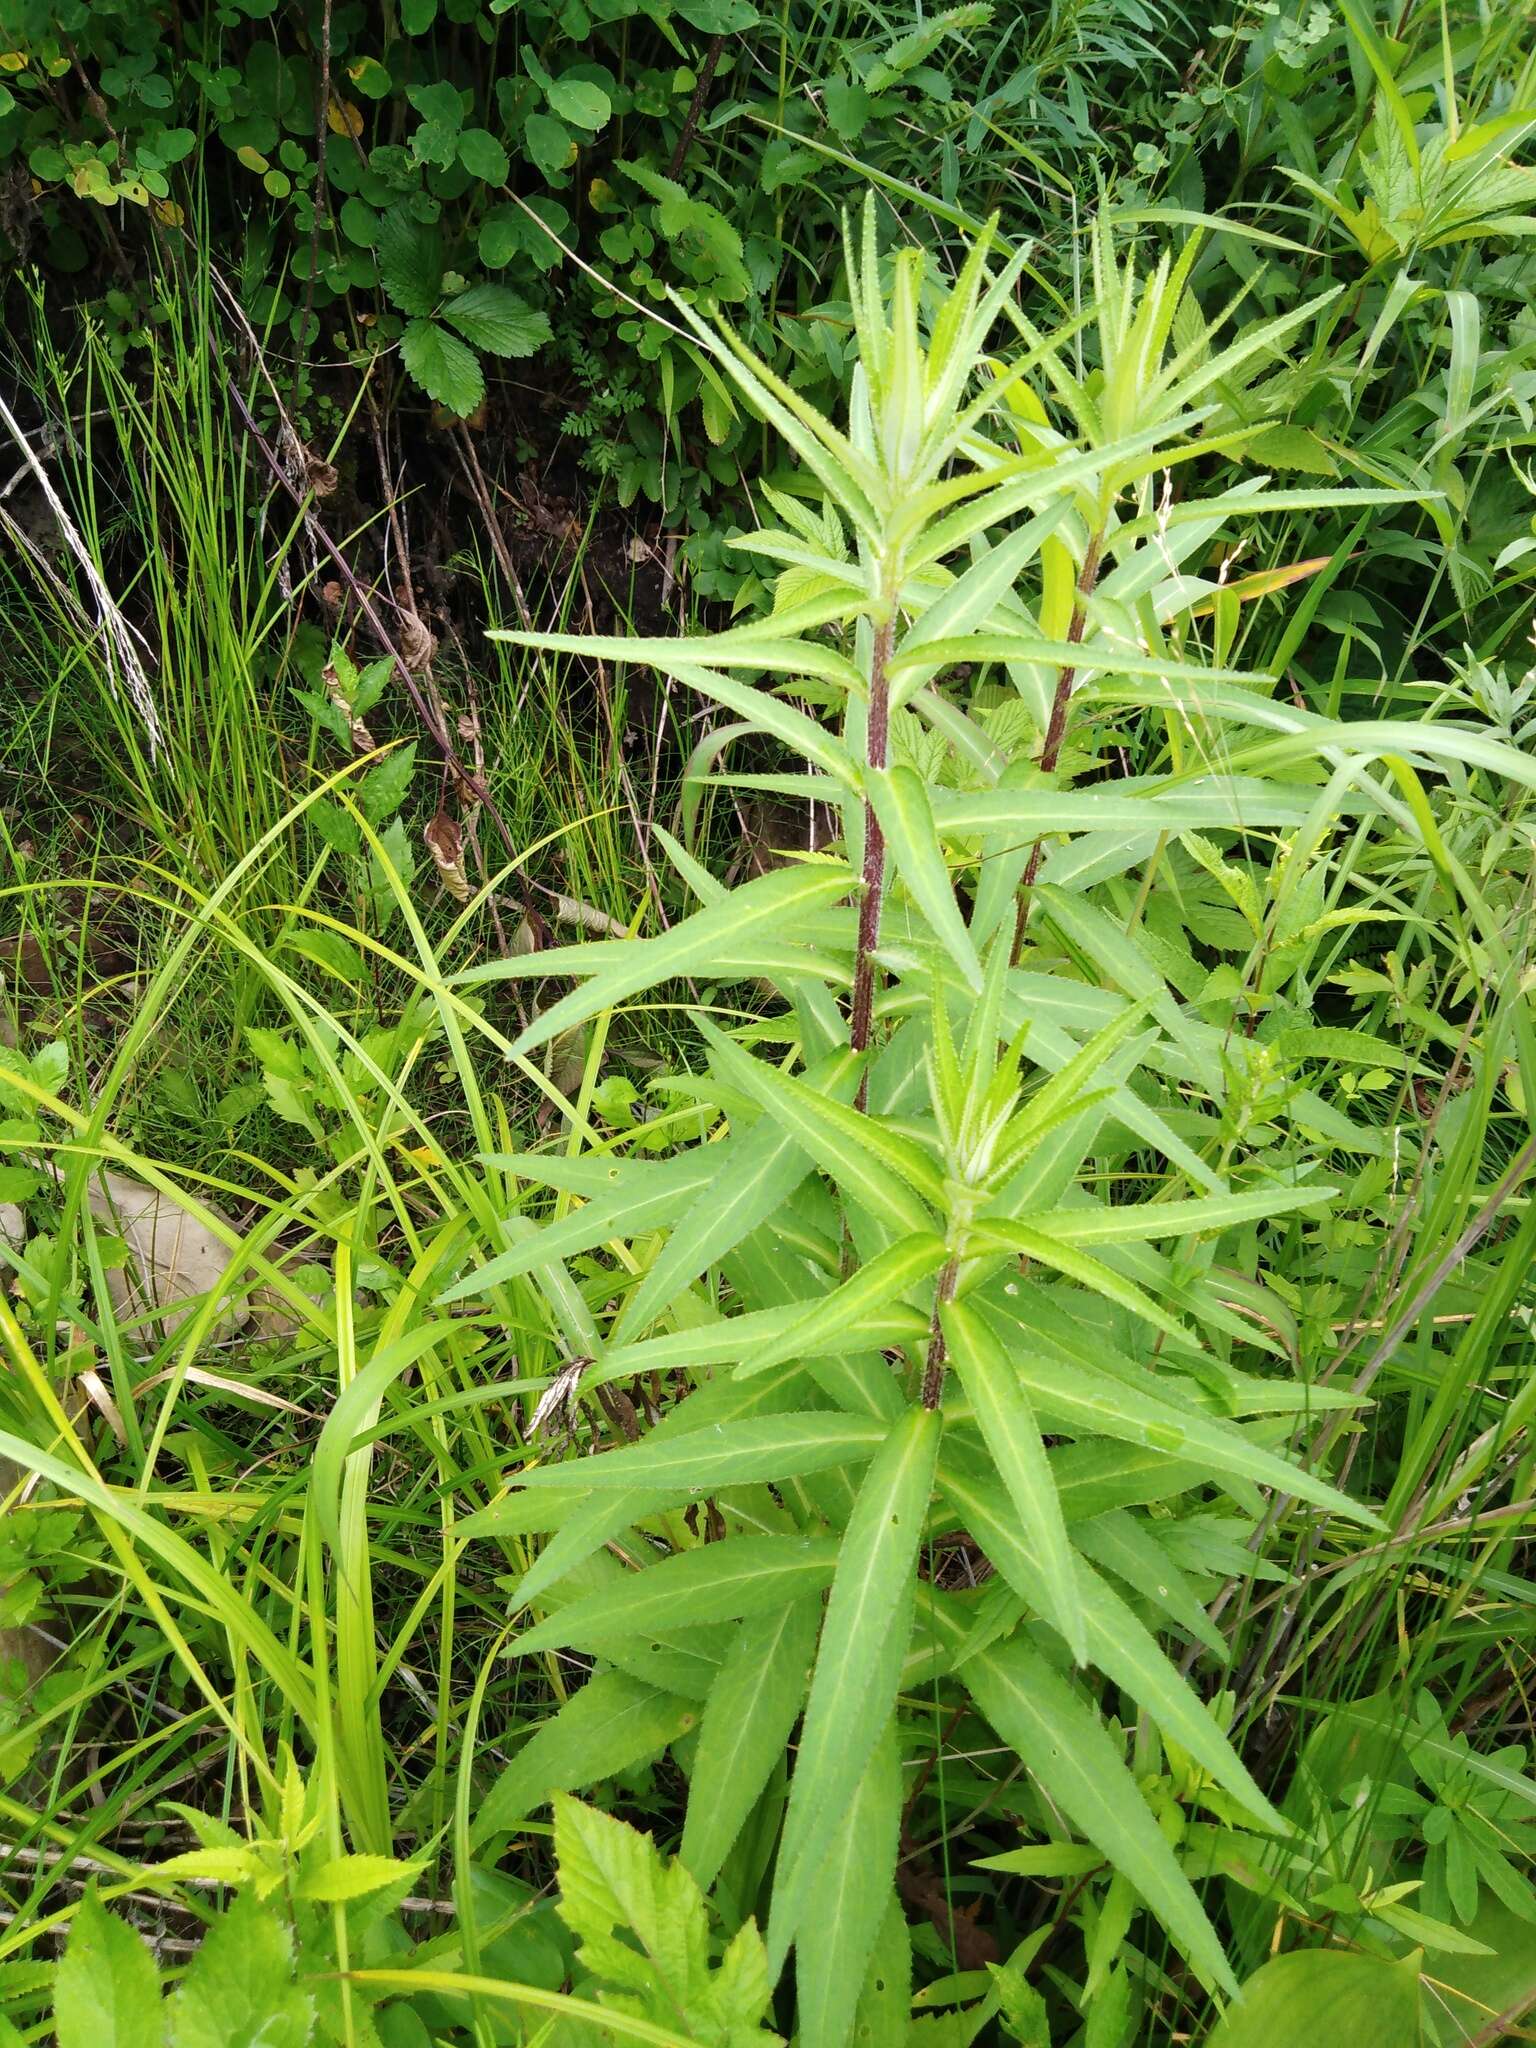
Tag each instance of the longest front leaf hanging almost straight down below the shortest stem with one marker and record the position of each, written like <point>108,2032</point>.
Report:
<point>863,1644</point>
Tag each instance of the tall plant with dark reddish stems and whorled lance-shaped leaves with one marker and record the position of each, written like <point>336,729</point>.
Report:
<point>890,1252</point>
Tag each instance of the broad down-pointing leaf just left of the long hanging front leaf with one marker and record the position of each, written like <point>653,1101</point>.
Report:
<point>749,1717</point>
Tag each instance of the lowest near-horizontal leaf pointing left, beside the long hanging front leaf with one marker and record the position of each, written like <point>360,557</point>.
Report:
<point>720,1582</point>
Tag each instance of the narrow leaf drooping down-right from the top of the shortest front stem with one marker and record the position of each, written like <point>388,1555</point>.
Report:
<point>1013,1437</point>
